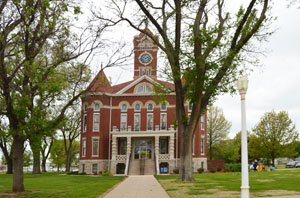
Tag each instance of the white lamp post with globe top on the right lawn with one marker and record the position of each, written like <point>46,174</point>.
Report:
<point>242,85</point>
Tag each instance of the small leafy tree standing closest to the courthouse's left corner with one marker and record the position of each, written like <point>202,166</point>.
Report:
<point>70,131</point>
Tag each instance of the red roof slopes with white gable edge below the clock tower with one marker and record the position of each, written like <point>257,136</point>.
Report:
<point>130,84</point>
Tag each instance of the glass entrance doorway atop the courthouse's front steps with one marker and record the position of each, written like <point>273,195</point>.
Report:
<point>143,149</point>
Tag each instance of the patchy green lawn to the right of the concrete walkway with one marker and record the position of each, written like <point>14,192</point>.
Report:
<point>270,183</point>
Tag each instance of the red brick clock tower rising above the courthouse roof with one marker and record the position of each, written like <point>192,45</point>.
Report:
<point>145,56</point>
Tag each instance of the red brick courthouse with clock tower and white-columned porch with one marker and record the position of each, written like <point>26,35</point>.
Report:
<point>126,131</point>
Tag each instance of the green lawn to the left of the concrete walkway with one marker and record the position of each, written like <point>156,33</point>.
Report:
<point>56,185</point>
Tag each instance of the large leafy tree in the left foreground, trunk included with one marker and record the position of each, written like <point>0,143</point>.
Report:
<point>36,45</point>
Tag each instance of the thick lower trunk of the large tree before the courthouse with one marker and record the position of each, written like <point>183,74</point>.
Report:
<point>185,168</point>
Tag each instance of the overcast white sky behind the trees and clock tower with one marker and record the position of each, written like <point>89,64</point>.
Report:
<point>273,86</point>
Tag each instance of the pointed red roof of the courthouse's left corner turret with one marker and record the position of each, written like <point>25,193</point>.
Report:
<point>100,83</point>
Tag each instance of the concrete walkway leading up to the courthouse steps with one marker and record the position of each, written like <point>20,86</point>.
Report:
<point>137,186</point>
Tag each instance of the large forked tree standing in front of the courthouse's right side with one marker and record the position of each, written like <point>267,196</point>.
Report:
<point>205,47</point>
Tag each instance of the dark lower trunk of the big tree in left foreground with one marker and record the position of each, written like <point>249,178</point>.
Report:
<point>18,179</point>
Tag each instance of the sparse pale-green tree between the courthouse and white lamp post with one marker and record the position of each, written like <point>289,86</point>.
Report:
<point>217,128</point>
